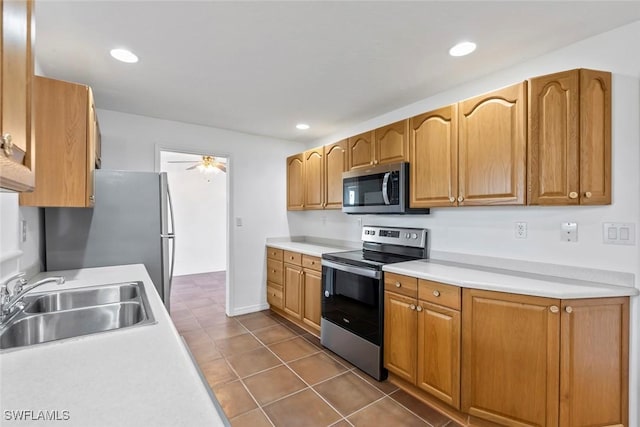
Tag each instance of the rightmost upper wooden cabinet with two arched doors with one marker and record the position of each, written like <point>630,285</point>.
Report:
<point>570,138</point>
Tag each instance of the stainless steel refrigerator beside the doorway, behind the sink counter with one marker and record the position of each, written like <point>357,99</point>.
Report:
<point>130,223</point>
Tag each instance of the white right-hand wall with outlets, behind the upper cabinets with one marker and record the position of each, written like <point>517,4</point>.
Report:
<point>490,231</point>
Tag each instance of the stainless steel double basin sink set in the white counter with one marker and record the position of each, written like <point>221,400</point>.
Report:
<point>71,313</point>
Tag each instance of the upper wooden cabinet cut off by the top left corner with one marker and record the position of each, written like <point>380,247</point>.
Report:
<point>17,157</point>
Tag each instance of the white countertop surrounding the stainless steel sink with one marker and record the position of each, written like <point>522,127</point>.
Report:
<point>137,376</point>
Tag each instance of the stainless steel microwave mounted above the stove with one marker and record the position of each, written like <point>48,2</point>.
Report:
<point>382,189</point>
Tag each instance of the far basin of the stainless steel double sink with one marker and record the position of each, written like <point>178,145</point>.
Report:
<point>65,300</point>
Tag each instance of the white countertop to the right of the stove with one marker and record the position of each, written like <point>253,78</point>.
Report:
<point>491,279</point>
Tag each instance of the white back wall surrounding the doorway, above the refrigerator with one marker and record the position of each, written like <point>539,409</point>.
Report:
<point>257,182</point>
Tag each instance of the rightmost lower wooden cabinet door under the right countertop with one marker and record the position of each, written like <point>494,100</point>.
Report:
<point>594,361</point>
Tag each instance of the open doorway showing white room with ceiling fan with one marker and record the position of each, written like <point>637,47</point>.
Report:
<point>198,185</point>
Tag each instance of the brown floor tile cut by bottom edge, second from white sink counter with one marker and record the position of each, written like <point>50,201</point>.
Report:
<point>301,409</point>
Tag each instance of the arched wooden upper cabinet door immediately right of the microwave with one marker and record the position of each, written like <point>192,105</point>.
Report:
<point>434,158</point>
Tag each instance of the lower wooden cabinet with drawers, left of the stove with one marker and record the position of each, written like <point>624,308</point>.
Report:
<point>294,287</point>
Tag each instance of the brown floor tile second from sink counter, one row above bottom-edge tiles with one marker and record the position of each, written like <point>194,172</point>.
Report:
<point>273,384</point>
